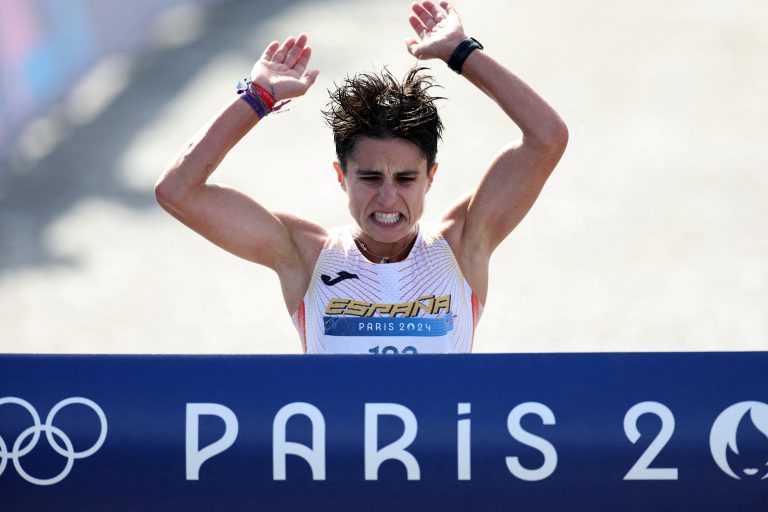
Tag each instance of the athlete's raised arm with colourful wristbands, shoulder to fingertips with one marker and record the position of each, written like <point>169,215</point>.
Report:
<point>226,216</point>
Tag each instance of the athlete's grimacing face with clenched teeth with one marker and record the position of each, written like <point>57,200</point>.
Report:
<point>386,183</point>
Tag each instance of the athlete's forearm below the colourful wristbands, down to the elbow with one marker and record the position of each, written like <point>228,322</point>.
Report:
<point>200,157</point>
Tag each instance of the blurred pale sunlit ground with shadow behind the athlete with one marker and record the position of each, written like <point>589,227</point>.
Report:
<point>652,233</point>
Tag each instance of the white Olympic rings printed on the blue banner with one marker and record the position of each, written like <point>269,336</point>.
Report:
<point>51,433</point>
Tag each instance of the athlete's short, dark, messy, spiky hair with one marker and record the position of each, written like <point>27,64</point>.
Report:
<point>379,106</point>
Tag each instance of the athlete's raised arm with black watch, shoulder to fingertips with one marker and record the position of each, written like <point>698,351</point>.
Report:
<point>513,181</point>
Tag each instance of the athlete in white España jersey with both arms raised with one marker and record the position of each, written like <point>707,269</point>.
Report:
<point>387,283</point>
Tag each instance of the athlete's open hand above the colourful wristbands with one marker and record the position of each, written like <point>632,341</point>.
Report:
<point>280,69</point>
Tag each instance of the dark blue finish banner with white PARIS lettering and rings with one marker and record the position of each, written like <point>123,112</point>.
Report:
<point>543,432</point>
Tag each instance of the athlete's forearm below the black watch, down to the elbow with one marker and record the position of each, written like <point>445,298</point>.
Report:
<point>537,120</point>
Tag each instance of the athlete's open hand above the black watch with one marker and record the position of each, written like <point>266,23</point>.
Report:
<point>438,30</point>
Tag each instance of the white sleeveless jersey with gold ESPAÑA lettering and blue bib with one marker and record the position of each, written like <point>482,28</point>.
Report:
<point>422,304</point>
